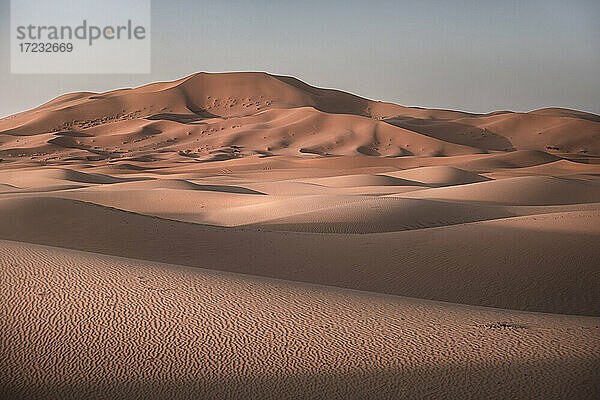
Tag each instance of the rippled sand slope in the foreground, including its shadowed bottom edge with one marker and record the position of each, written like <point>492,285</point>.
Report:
<point>153,331</point>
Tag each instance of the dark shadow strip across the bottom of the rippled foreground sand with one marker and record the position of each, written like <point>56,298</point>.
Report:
<point>526,378</point>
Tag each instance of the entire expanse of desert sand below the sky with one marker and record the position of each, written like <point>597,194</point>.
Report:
<point>246,235</point>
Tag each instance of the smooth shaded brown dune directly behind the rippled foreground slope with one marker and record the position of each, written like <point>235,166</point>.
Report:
<point>527,263</point>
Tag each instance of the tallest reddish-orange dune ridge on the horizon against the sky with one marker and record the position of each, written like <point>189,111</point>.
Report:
<point>211,117</point>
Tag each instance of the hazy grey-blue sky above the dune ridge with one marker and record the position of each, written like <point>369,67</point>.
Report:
<point>469,55</point>
